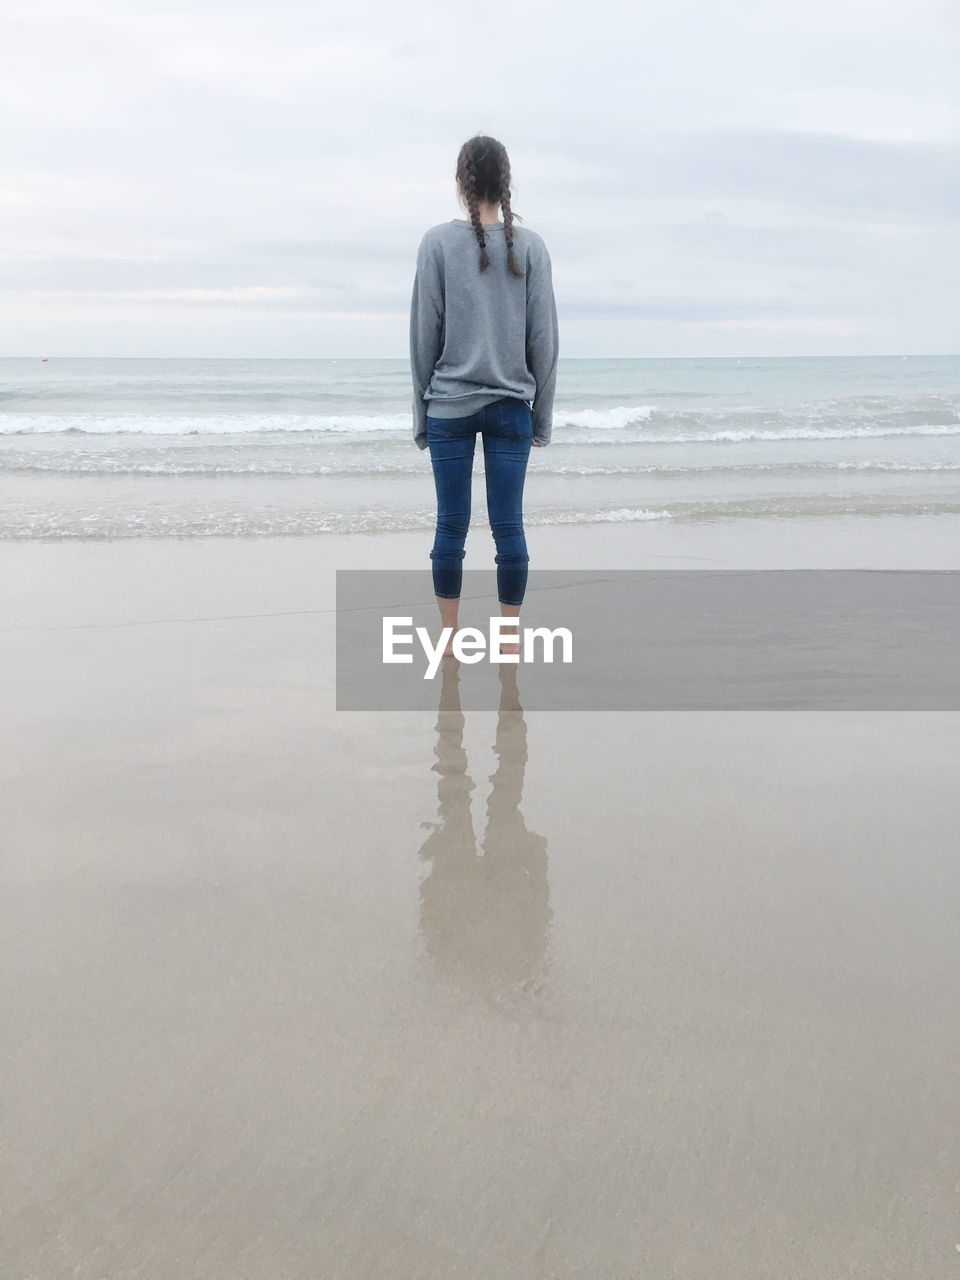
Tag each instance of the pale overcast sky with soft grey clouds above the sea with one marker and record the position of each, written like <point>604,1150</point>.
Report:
<point>232,179</point>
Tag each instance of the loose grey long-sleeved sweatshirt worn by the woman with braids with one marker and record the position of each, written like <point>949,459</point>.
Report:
<point>478,336</point>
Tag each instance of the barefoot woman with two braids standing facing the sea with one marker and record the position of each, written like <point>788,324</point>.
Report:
<point>483,353</point>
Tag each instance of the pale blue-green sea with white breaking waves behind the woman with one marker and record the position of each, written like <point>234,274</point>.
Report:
<point>252,449</point>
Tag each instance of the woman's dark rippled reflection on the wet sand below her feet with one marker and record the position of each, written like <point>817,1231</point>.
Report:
<point>484,915</point>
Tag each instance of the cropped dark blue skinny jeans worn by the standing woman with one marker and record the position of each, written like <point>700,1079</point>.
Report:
<point>508,429</point>
